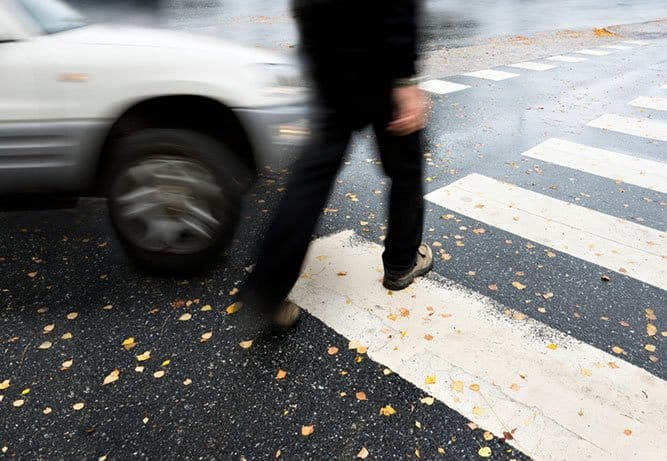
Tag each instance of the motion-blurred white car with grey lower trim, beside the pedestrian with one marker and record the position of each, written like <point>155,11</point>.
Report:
<point>167,125</point>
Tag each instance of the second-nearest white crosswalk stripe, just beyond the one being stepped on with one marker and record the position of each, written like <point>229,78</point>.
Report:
<point>619,245</point>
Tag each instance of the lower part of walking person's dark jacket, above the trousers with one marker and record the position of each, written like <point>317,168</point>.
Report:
<point>355,49</point>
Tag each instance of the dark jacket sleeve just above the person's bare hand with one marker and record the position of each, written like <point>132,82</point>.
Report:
<point>400,32</point>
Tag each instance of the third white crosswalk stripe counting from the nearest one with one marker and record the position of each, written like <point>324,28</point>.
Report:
<point>631,170</point>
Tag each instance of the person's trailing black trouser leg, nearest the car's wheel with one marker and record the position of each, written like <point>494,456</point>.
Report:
<point>288,237</point>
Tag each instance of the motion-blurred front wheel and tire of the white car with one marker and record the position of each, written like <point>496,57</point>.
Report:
<point>174,198</point>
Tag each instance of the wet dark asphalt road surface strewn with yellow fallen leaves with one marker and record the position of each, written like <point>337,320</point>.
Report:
<point>217,400</point>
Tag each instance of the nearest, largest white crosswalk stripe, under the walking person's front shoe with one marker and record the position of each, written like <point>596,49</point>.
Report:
<point>558,411</point>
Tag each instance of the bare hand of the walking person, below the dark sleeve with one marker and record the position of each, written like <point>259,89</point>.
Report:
<point>410,110</point>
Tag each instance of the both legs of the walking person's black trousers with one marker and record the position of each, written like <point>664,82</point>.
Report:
<point>282,253</point>
